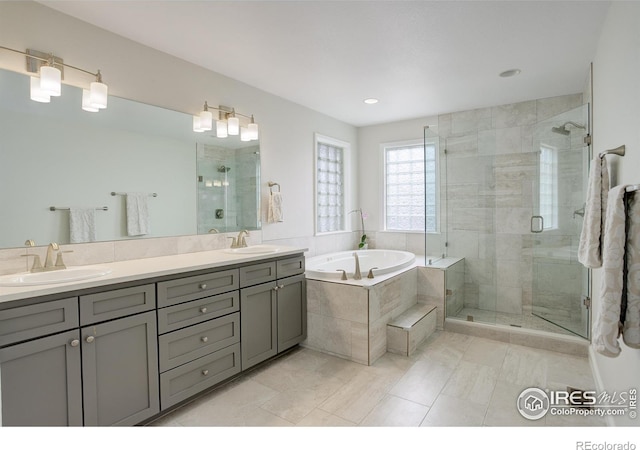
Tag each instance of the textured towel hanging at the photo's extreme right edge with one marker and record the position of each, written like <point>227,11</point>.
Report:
<point>631,325</point>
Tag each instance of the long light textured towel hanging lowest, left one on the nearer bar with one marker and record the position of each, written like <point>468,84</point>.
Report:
<point>608,327</point>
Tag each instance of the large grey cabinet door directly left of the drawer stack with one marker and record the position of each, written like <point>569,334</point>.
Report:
<point>120,371</point>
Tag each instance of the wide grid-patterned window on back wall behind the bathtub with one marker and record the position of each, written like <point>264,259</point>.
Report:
<point>411,187</point>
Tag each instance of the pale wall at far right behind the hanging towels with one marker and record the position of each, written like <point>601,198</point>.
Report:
<point>616,121</point>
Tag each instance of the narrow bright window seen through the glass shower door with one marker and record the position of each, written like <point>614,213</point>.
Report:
<point>549,187</point>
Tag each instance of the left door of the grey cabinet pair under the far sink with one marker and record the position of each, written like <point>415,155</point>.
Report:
<point>258,332</point>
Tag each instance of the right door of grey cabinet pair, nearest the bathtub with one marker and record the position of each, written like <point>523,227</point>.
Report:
<point>292,311</point>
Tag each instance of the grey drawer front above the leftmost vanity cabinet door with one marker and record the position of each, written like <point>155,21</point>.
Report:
<point>28,322</point>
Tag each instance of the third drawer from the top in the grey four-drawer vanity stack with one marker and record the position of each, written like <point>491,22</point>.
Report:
<point>185,345</point>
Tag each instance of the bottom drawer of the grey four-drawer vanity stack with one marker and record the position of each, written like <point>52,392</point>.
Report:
<point>187,380</point>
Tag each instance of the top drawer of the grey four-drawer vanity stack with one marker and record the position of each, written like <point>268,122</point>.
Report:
<point>193,288</point>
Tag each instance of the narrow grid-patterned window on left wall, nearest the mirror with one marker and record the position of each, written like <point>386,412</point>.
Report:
<point>331,159</point>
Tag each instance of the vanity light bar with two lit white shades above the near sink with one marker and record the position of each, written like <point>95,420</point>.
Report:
<point>49,82</point>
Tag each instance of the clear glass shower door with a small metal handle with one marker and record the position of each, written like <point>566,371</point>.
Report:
<point>560,283</point>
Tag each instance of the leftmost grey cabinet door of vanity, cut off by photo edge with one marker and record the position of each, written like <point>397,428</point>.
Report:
<point>40,383</point>
